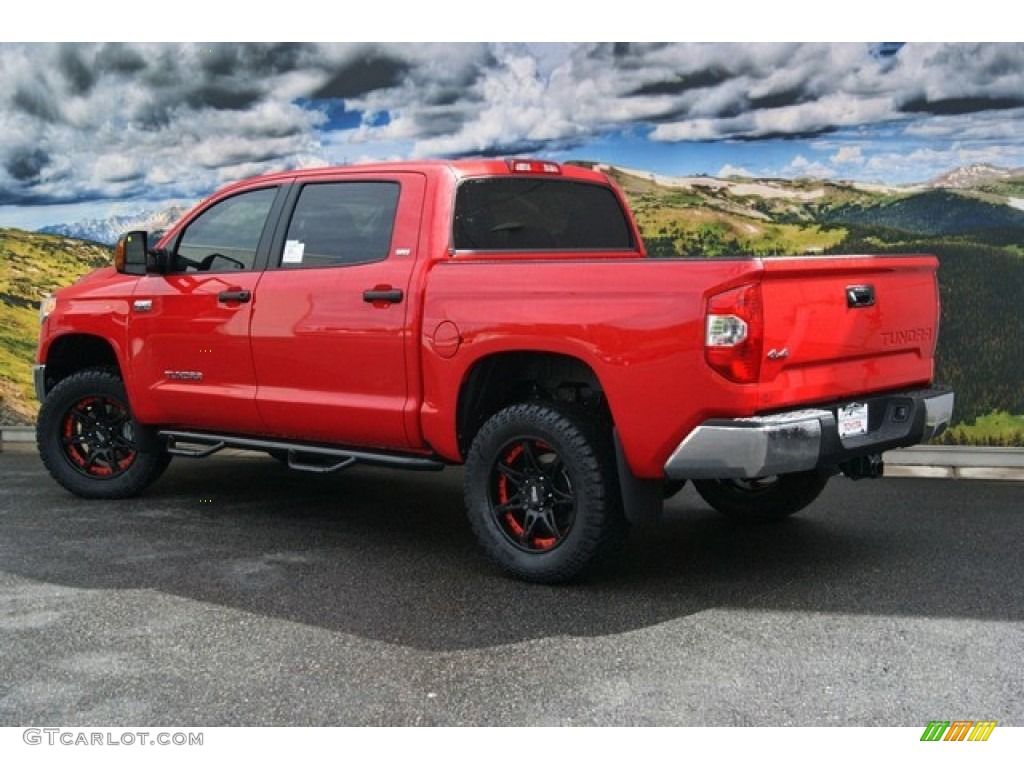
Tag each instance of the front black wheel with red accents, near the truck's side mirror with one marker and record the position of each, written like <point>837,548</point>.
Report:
<point>90,441</point>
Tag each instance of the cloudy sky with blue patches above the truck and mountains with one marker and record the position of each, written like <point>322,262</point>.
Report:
<point>92,130</point>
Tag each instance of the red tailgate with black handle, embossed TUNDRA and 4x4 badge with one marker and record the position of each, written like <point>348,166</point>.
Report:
<point>847,326</point>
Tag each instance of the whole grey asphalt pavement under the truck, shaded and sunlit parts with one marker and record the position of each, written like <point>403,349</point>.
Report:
<point>236,592</point>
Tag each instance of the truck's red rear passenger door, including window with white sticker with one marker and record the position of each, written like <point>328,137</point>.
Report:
<point>331,334</point>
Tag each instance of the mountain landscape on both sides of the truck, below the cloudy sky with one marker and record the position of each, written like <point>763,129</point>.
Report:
<point>972,219</point>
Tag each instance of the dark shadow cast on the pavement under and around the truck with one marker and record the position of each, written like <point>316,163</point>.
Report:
<point>390,557</point>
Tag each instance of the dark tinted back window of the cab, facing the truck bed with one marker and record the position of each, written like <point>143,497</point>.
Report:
<point>524,215</point>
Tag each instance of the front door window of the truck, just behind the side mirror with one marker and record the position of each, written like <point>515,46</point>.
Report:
<point>225,238</point>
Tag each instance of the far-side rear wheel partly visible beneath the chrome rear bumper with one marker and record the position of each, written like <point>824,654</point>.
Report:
<point>763,499</point>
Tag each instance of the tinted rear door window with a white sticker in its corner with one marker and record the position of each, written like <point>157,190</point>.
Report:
<point>339,224</point>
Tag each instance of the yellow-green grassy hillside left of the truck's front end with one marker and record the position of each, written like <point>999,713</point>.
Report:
<point>32,266</point>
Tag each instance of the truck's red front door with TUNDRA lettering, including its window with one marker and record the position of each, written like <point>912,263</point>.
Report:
<point>189,331</point>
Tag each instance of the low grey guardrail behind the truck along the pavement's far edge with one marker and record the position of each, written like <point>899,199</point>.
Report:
<point>921,461</point>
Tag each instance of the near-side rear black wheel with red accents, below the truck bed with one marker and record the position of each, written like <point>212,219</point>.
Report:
<point>542,494</point>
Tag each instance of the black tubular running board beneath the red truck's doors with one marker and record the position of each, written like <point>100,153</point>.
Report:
<point>202,445</point>
